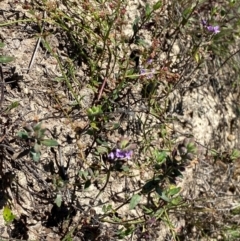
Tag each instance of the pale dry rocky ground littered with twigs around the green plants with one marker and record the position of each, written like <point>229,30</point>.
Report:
<point>202,108</point>
